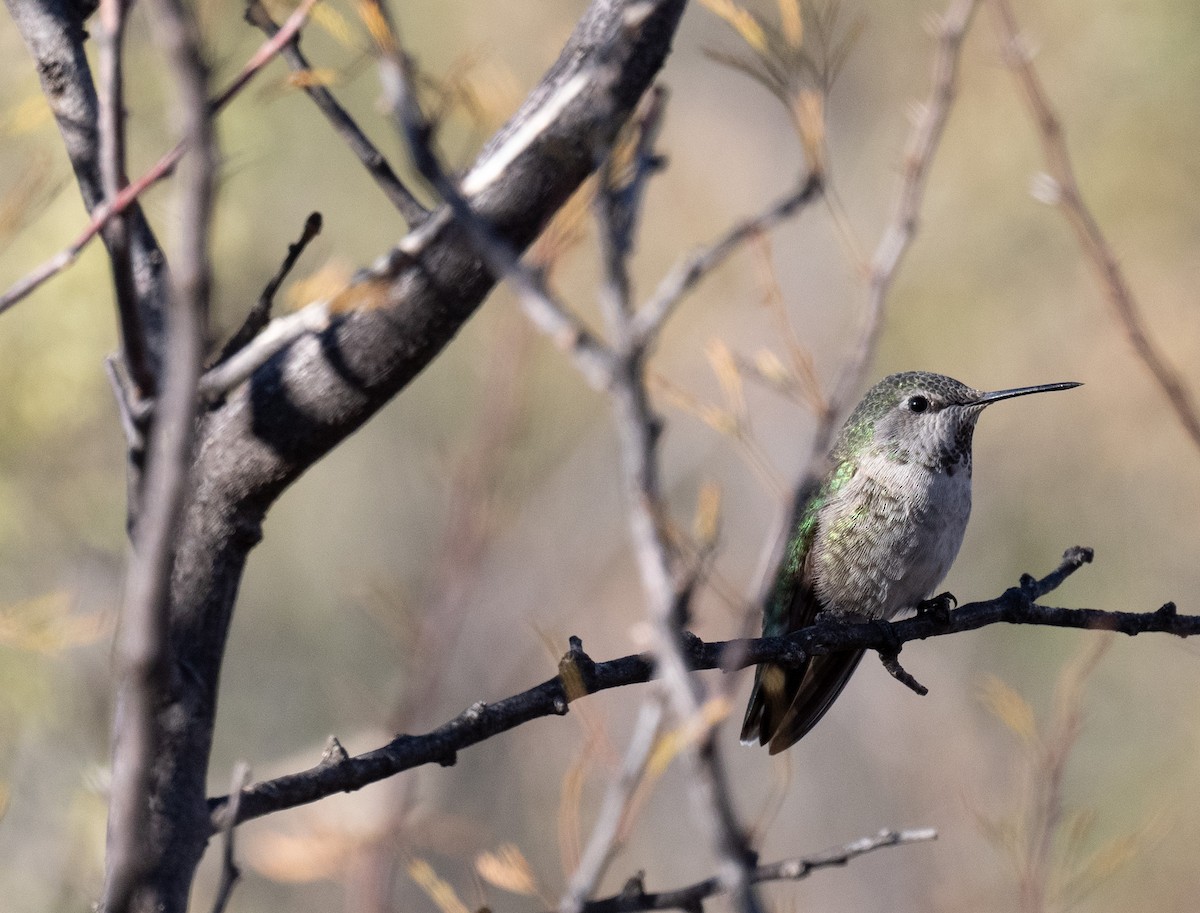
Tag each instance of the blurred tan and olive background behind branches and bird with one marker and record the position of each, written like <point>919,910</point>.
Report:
<point>446,552</point>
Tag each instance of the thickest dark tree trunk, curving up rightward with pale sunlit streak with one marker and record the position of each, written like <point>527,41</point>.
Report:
<point>323,386</point>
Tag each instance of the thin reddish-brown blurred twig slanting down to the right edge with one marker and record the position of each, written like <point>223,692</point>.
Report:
<point>1070,200</point>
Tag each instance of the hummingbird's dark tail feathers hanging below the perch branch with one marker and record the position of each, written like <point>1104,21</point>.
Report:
<point>787,704</point>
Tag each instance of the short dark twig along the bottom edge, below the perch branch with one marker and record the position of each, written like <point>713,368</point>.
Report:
<point>634,897</point>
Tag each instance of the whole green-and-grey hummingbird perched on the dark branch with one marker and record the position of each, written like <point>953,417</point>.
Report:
<point>874,539</point>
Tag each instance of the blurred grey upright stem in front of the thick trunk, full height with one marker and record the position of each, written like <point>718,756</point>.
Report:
<point>143,645</point>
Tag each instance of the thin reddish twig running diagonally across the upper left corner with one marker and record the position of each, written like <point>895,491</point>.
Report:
<point>163,169</point>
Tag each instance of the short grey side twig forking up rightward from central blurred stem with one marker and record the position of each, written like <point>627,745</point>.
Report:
<point>699,265</point>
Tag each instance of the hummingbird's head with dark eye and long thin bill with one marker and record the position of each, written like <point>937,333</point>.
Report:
<point>922,418</point>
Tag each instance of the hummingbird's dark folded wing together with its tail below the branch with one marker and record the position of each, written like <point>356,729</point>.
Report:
<point>788,702</point>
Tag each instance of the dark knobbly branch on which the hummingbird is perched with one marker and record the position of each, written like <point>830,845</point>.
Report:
<point>553,698</point>
